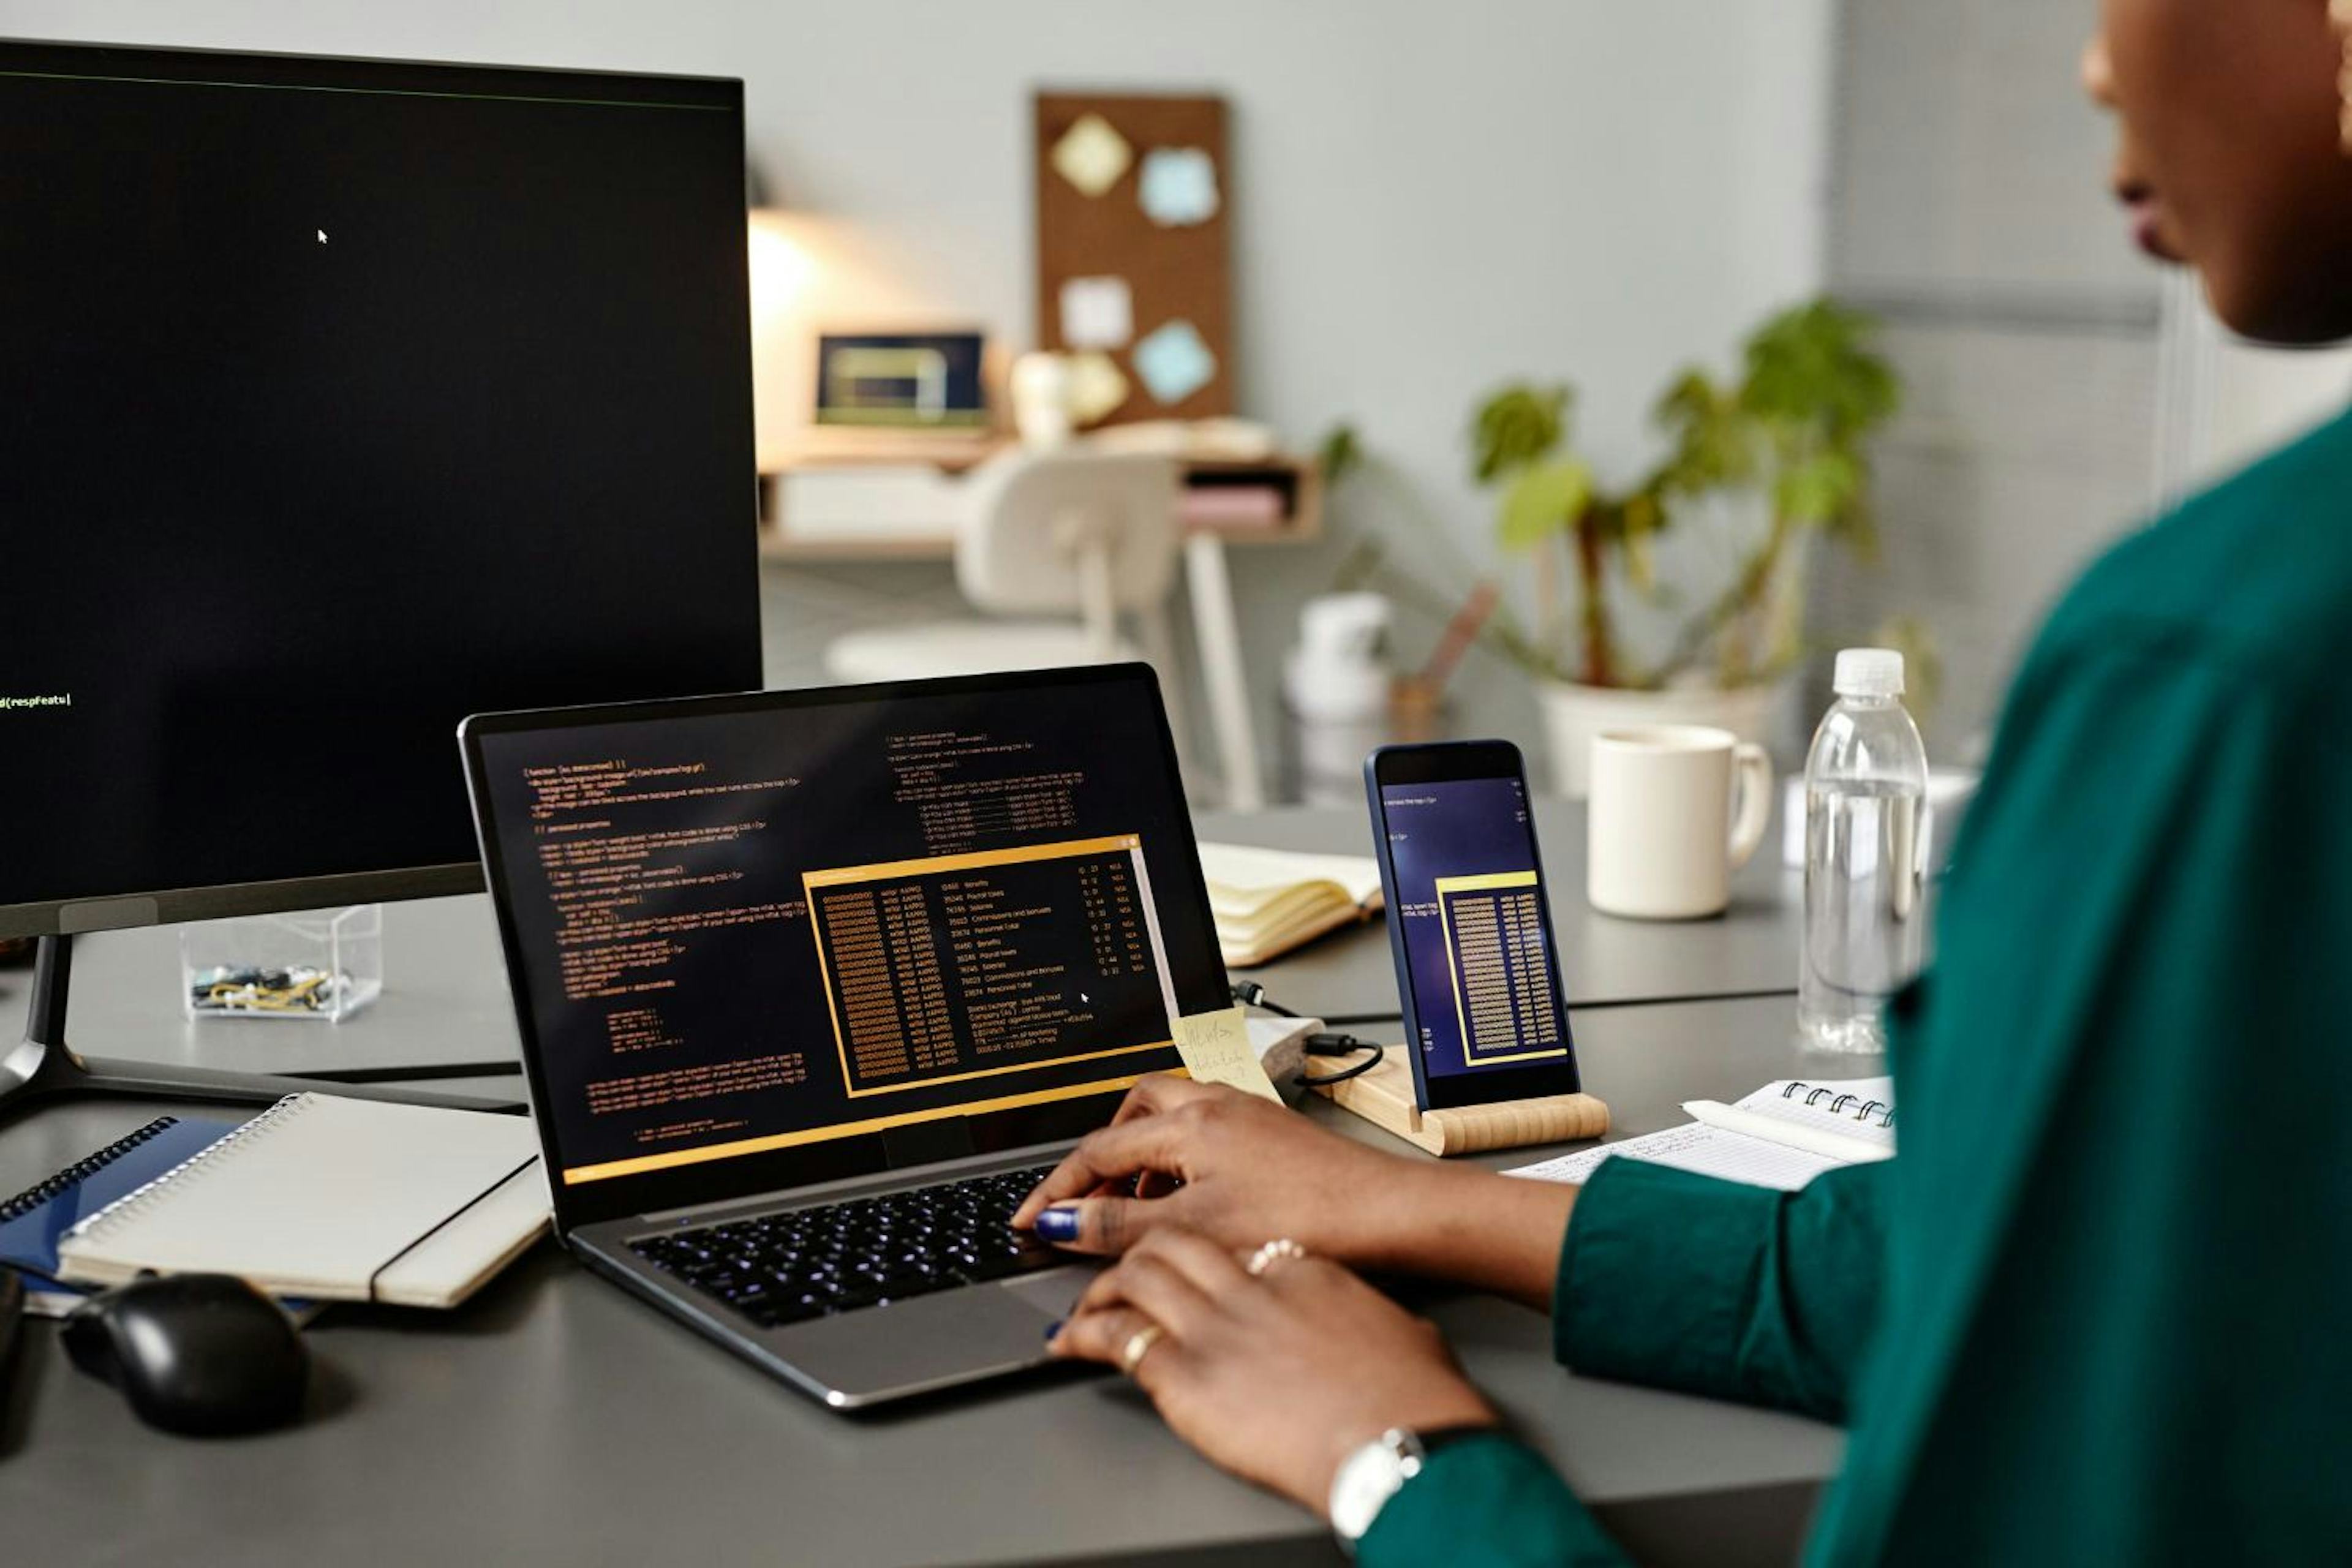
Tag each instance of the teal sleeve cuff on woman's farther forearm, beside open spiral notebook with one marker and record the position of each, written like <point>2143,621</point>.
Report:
<point>1720,1289</point>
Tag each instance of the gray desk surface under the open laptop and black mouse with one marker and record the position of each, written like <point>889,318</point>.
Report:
<point>556,1421</point>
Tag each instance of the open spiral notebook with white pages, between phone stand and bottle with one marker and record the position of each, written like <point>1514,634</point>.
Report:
<point>1782,1137</point>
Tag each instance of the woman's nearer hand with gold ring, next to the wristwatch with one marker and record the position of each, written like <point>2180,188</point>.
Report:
<point>1278,1376</point>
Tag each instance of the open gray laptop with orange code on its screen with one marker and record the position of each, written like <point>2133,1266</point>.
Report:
<point>815,986</point>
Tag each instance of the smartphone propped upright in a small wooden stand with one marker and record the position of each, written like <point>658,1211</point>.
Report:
<point>1469,923</point>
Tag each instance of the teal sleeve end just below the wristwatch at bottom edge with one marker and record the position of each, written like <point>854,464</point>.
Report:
<point>1485,1503</point>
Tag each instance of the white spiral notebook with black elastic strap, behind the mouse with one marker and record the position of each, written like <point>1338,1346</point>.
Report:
<point>333,1200</point>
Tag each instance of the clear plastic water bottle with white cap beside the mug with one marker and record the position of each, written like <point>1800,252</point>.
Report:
<point>1864,857</point>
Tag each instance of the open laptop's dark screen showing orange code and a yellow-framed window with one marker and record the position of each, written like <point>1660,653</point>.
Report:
<point>759,925</point>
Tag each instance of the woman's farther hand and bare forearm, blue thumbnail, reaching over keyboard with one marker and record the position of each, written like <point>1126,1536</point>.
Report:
<point>1248,1170</point>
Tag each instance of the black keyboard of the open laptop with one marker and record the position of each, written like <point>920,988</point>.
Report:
<point>787,1268</point>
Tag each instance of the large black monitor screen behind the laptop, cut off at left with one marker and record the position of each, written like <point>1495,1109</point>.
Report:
<point>342,401</point>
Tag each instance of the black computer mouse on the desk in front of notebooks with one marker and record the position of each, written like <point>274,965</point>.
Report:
<point>194,1353</point>
